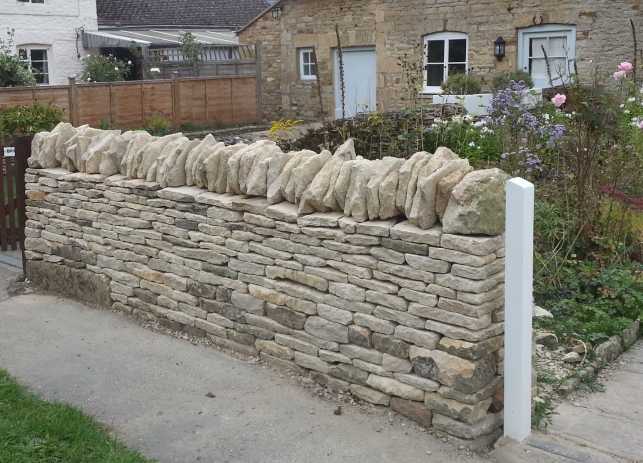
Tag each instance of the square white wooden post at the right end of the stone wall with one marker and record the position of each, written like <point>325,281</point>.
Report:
<point>519,244</point>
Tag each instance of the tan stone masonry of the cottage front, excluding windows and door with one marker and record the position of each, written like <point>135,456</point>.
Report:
<point>396,29</point>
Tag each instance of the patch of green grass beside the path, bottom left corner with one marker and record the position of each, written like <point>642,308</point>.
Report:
<point>33,430</point>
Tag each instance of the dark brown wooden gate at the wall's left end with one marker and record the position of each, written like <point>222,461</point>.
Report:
<point>13,165</point>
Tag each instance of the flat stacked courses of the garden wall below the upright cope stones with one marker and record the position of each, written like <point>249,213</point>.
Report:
<point>397,315</point>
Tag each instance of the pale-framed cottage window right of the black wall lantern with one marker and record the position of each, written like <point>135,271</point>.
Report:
<point>557,43</point>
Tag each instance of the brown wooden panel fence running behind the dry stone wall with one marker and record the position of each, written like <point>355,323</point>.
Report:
<point>127,105</point>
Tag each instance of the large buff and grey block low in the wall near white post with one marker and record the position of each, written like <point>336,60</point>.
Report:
<point>467,376</point>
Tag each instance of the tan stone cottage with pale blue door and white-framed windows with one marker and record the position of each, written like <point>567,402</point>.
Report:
<point>437,37</point>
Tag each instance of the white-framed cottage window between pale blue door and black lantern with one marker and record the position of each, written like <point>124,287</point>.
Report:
<point>445,53</point>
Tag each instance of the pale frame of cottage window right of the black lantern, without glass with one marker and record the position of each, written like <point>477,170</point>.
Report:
<point>547,30</point>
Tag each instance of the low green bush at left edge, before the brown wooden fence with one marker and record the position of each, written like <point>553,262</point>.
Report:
<point>29,119</point>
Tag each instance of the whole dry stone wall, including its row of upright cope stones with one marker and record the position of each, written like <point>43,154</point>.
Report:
<point>398,314</point>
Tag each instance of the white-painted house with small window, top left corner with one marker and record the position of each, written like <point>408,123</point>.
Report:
<point>48,34</point>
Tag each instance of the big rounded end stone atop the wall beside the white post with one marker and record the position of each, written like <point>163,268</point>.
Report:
<point>477,204</point>
